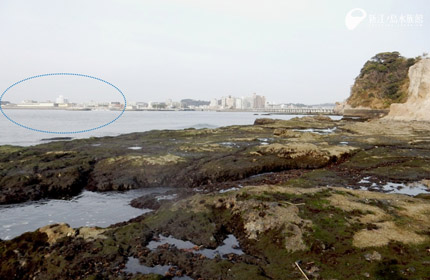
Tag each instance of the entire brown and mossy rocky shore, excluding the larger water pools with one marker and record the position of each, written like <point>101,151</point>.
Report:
<point>309,189</point>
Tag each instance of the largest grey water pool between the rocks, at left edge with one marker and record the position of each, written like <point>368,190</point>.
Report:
<point>86,209</point>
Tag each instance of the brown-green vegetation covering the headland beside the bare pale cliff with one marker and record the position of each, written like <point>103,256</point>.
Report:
<point>383,80</point>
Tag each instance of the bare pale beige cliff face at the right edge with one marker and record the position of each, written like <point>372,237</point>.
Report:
<point>417,106</point>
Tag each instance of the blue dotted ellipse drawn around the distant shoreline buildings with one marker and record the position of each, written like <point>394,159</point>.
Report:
<point>63,132</point>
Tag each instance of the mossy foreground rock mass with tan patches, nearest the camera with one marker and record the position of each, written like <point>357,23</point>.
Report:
<point>326,228</point>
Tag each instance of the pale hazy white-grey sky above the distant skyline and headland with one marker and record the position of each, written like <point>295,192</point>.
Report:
<point>290,51</point>
